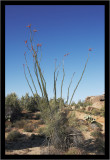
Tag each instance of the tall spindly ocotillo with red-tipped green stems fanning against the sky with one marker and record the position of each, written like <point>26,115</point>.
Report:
<point>39,74</point>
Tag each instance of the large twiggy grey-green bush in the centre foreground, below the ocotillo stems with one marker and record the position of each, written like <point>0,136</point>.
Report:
<point>63,136</point>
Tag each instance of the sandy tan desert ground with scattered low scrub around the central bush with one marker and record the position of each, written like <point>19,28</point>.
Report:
<point>32,142</point>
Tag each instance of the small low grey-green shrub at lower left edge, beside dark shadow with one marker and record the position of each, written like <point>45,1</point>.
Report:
<point>13,135</point>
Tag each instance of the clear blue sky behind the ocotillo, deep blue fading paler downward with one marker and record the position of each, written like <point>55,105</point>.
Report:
<point>61,29</point>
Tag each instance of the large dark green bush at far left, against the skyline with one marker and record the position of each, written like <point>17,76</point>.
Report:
<point>12,107</point>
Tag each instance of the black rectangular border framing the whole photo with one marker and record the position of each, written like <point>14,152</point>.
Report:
<point>3,4</point>
